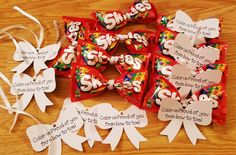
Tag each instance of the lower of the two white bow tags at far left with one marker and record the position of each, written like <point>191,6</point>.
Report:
<point>37,87</point>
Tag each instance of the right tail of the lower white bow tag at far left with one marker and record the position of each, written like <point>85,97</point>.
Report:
<point>42,100</point>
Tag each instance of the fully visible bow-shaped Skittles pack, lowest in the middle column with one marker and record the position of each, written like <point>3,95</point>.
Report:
<point>87,83</point>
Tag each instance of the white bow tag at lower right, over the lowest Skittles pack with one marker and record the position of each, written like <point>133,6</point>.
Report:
<point>199,112</point>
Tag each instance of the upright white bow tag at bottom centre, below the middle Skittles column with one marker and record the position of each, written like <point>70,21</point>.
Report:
<point>126,120</point>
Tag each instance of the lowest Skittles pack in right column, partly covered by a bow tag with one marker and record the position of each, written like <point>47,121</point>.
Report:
<point>214,93</point>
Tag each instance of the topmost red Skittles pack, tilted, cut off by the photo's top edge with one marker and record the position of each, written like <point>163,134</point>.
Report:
<point>141,11</point>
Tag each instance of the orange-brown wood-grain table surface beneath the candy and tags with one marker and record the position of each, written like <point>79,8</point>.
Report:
<point>220,139</point>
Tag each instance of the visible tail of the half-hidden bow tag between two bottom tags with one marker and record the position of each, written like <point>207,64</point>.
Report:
<point>91,133</point>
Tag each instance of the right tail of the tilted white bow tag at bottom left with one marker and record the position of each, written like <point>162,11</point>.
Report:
<point>74,141</point>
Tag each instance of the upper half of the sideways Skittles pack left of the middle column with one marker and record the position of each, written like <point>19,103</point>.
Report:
<point>76,28</point>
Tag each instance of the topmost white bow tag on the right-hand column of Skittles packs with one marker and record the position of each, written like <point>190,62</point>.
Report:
<point>184,23</point>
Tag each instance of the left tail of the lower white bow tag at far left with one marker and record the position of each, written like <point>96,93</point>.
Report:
<point>23,102</point>
